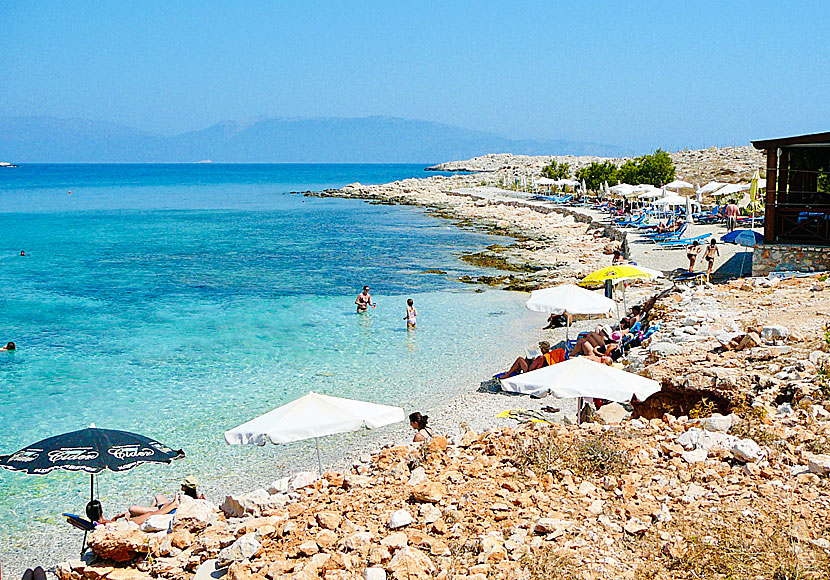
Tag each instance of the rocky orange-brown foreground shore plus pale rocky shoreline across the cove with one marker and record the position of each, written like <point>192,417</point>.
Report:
<point>690,484</point>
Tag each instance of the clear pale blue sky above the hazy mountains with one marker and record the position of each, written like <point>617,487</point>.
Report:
<point>636,74</point>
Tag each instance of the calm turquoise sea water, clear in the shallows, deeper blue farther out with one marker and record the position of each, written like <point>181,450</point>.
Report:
<point>178,301</point>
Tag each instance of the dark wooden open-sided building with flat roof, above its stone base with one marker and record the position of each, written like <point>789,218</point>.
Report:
<point>797,203</point>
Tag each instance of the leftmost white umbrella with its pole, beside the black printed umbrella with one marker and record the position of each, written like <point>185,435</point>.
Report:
<point>310,417</point>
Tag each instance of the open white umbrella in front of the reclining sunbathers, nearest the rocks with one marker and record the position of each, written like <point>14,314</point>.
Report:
<point>580,377</point>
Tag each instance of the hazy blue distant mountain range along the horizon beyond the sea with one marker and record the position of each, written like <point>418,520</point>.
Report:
<point>318,140</point>
